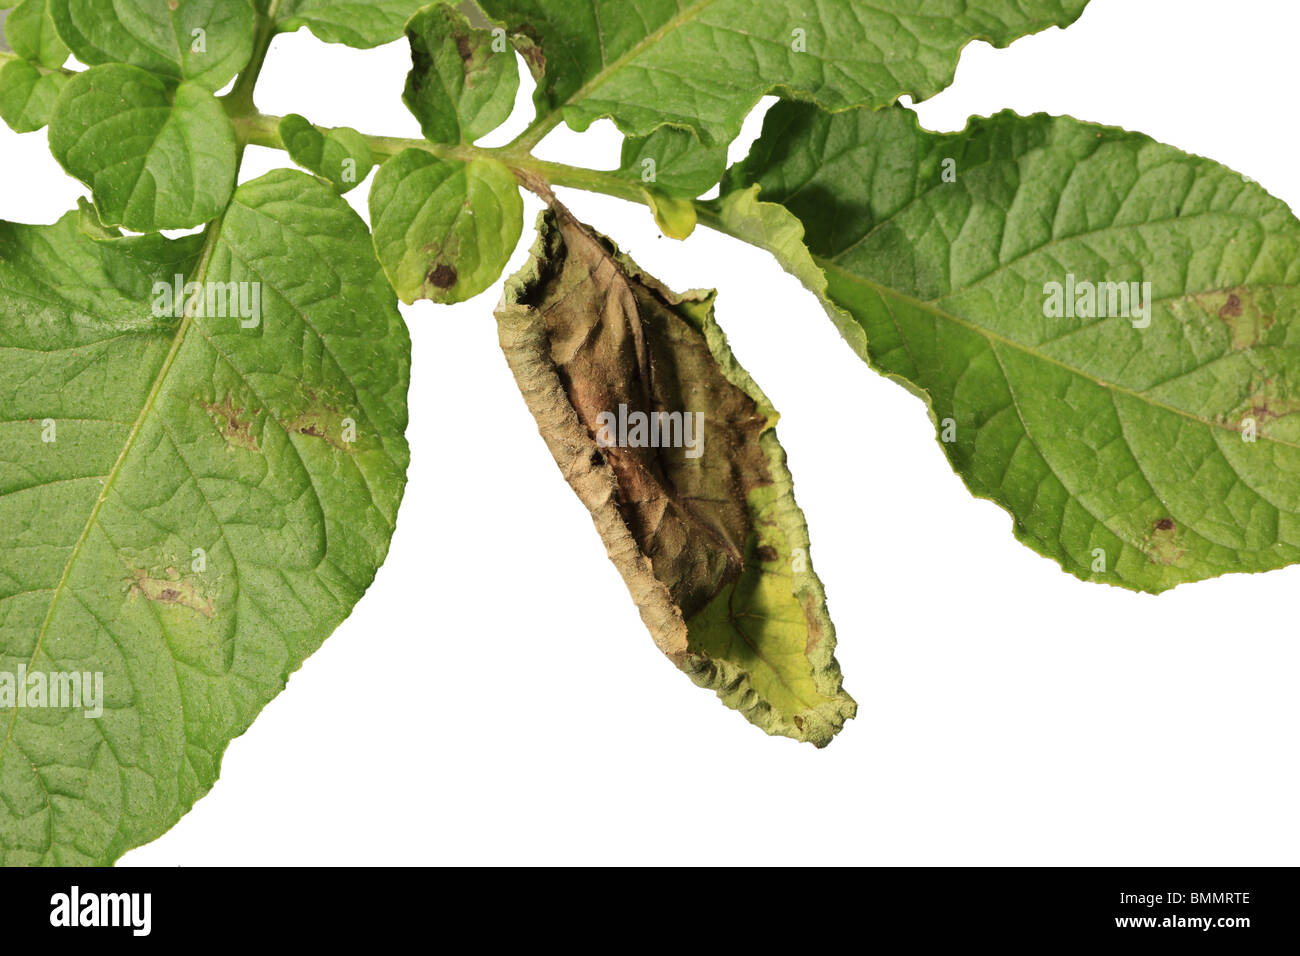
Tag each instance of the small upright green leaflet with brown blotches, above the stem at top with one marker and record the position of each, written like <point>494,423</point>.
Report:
<point>460,88</point>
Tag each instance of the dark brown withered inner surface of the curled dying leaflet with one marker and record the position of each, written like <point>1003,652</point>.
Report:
<point>618,339</point>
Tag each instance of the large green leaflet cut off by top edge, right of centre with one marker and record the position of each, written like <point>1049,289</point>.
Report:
<point>704,64</point>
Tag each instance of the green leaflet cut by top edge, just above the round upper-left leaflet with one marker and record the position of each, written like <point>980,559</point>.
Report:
<point>203,42</point>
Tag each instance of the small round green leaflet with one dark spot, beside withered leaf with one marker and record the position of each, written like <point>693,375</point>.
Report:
<point>444,230</point>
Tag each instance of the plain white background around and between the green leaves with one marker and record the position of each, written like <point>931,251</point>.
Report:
<point>496,699</point>
